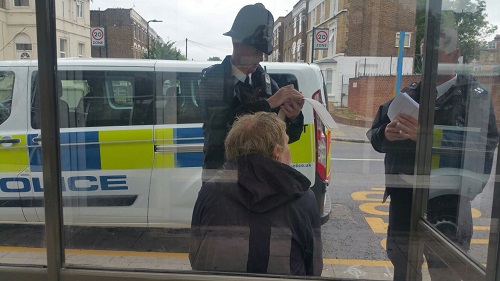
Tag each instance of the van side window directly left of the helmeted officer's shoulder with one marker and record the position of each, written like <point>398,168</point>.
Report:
<point>177,102</point>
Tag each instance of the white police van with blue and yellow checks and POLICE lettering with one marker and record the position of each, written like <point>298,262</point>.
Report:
<point>131,140</point>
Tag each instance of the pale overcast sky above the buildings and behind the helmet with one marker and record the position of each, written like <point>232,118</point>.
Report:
<point>202,22</point>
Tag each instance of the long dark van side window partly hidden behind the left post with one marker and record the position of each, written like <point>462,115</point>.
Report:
<point>102,98</point>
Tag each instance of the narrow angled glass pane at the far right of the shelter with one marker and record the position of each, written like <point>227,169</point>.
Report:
<point>464,144</point>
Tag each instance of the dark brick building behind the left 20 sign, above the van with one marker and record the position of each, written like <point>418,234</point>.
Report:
<point>126,33</point>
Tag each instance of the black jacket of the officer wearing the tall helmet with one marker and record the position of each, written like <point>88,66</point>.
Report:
<point>219,106</point>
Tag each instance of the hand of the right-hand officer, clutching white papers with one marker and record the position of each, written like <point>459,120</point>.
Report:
<point>404,127</point>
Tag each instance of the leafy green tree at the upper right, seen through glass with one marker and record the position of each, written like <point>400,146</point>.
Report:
<point>468,17</point>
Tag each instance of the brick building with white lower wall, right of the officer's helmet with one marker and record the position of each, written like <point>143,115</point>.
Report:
<point>363,39</point>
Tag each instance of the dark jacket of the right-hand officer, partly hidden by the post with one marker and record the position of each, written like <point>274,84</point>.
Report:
<point>465,104</point>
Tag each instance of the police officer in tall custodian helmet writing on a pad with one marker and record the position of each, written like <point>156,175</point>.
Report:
<point>239,85</point>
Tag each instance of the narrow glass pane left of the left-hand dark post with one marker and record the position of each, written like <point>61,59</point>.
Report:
<point>22,233</point>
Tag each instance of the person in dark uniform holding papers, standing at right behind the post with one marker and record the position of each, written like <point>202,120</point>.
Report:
<point>457,95</point>
